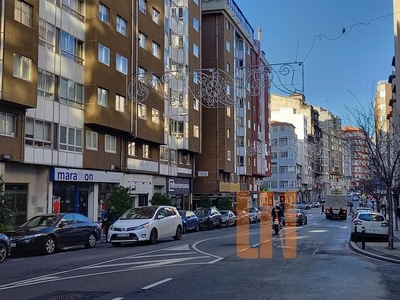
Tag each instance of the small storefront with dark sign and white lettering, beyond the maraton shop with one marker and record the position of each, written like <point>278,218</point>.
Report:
<point>180,190</point>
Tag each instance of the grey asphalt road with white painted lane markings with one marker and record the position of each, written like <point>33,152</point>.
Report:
<point>306,262</point>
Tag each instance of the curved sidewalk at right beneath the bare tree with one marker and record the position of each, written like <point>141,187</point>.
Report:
<point>379,250</point>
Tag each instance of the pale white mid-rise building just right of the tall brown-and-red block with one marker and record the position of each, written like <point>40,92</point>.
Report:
<point>285,168</point>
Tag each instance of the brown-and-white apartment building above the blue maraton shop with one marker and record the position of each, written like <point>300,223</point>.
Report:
<point>85,105</point>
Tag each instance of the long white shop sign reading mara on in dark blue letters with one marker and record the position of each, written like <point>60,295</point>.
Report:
<point>79,175</point>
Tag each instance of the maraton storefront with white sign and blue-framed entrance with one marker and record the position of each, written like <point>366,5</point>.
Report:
<point>81,191</point>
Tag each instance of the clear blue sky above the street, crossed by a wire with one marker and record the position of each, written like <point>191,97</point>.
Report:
<point>334,69</point>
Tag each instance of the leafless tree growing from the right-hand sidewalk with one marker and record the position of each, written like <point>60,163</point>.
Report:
<point>376,148</point>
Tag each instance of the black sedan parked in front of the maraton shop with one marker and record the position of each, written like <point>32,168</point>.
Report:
<point>51,232</point>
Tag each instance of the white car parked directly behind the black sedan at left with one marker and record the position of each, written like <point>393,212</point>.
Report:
<point>146,223</point>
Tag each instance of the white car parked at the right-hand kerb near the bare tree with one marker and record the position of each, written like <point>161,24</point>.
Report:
<point>374,223</point>
